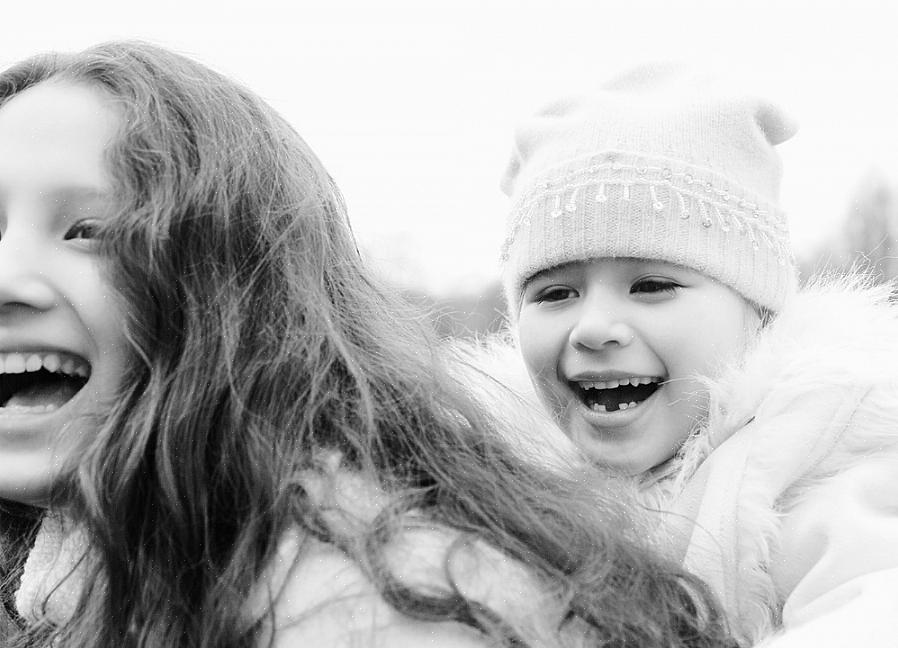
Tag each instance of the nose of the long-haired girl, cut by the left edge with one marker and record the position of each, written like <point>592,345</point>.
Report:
<point>24,285</point>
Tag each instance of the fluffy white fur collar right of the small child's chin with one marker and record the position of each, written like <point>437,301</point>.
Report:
<point>839,333</point>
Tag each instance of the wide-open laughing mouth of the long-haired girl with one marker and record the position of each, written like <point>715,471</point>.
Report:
<point>35,382</point>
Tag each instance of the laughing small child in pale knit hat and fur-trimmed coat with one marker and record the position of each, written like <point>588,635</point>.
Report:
<point>649,277</point>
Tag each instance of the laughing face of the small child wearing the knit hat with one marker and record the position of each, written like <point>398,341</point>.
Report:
<point>614,347</point>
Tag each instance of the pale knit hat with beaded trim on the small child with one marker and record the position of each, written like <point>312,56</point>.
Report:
<point>659,164</point>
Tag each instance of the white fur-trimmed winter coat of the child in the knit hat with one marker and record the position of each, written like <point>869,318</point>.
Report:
<point>792,484</point>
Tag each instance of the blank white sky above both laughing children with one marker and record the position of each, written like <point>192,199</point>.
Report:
<point>411,104</point>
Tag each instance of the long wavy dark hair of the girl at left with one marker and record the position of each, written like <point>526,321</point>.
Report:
<point>261,343</point>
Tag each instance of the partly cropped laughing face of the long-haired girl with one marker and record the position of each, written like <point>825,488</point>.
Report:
<point>61,328</point>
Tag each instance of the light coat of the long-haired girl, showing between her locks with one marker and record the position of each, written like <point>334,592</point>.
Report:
<point>314,594</point>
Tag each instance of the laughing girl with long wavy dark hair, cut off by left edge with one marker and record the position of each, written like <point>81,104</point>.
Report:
<point>218,429</point>
